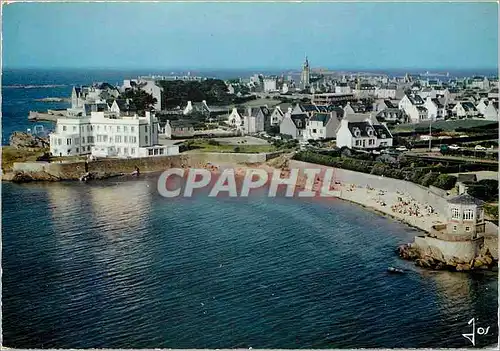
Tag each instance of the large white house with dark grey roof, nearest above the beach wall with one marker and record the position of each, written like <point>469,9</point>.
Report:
<point>366,133</point>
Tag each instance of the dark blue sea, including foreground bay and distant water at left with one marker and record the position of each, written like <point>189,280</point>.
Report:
<point>112,264</point>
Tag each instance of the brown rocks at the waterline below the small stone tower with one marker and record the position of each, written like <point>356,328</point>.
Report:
<point>432,259</point>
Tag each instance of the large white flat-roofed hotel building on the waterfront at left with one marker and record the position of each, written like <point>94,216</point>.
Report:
<point>105,134</point>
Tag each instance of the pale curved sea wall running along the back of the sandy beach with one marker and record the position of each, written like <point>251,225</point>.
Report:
<point>418,192</point>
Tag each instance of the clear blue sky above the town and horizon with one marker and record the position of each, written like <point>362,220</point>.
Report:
<point>251,35</point>
